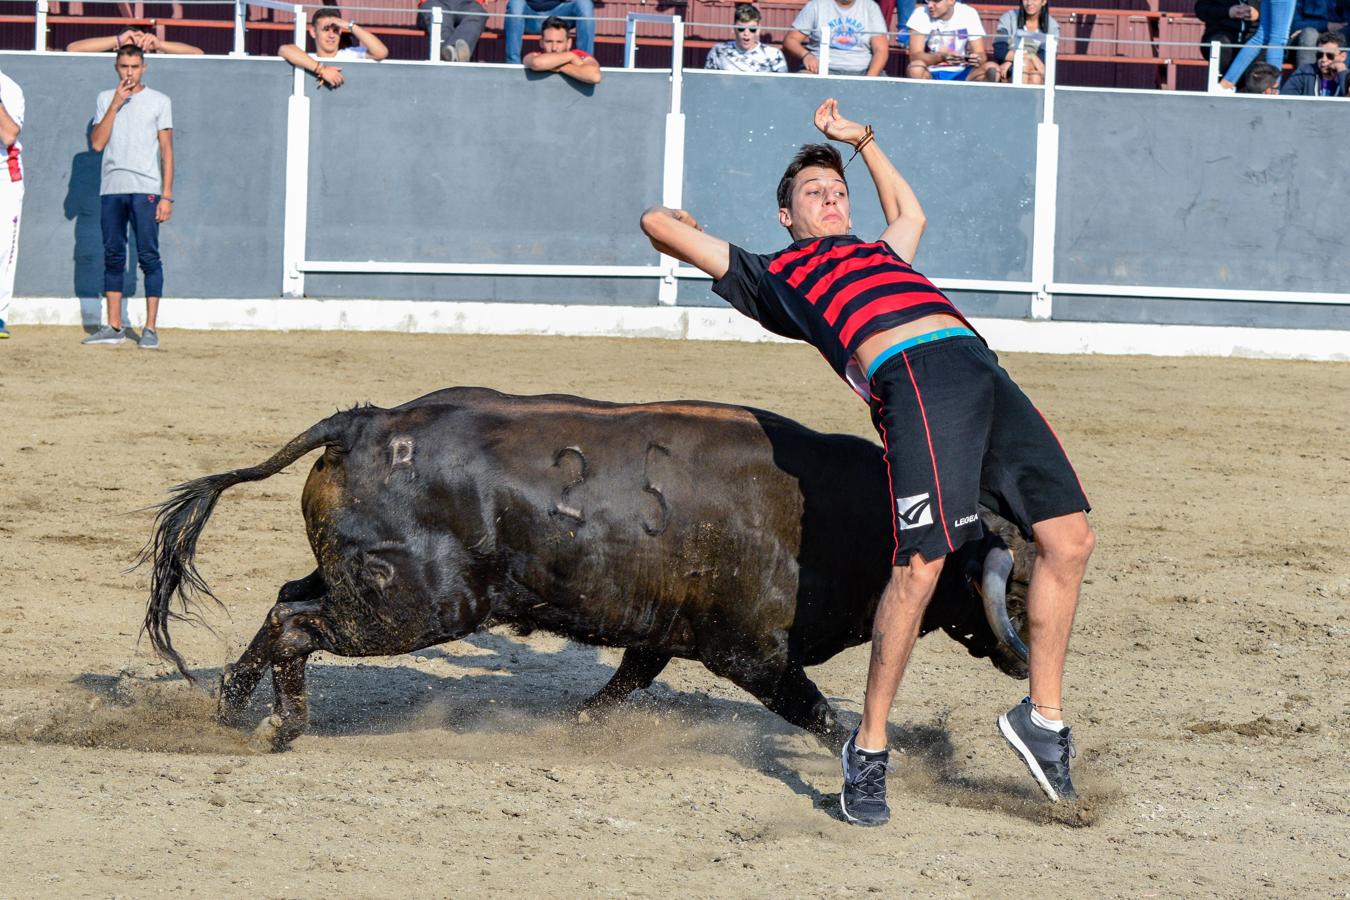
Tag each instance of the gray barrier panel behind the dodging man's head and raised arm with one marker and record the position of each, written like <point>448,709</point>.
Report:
<point>969,152</point>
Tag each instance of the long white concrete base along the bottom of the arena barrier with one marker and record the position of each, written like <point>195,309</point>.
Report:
<point>674,323</point>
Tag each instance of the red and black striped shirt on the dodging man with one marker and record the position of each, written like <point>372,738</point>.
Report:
<point>831,292</point>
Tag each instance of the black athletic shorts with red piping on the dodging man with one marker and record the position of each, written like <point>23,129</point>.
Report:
<point>959,432</point>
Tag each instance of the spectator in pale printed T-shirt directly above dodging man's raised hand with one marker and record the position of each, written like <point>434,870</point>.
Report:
<point>858,37</point>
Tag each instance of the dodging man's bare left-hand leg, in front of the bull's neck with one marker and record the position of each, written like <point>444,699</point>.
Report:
<point>894,632</point>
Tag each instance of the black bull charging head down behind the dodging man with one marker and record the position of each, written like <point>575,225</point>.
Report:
<point>718,534</point>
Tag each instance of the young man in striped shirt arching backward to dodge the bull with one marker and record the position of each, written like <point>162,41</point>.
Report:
<point>954,426</point>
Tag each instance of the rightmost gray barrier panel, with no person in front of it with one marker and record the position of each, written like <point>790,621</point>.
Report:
<point>1198,191</point>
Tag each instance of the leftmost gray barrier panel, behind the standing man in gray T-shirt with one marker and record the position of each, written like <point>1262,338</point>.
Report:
<point>230,150</point>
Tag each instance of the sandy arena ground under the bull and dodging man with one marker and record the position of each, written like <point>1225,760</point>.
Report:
<point>1208,678</point>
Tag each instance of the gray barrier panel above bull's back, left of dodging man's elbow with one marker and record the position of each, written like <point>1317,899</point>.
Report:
<point>483,165</point>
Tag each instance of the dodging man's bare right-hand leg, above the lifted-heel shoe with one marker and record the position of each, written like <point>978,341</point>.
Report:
<point>1063,547</point>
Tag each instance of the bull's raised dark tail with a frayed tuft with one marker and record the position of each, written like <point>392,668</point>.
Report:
<point>172,549</point>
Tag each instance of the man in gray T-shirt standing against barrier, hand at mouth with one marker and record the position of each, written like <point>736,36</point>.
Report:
<point>133,126</point>
